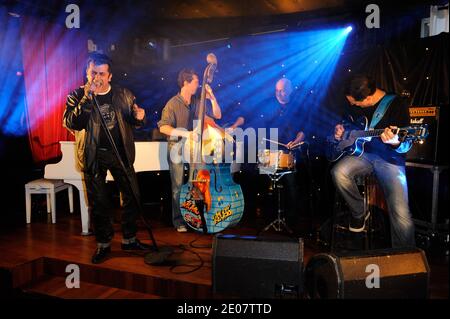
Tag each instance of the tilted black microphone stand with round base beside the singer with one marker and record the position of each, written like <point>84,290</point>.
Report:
<point>159,255</point>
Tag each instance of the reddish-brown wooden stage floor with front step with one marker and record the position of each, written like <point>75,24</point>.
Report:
<point>35,256</point>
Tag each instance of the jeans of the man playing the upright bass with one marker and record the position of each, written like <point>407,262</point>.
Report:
<point>176,179</point>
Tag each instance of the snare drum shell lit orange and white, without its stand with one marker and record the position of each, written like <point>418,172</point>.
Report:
<point>276,160</point>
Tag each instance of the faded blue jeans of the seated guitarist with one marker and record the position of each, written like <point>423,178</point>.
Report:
<point>392,179</point>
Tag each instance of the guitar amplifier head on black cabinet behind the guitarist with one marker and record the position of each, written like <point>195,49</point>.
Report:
<point>431,151</point>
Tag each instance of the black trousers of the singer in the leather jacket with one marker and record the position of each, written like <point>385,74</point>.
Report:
<point>100,201</point>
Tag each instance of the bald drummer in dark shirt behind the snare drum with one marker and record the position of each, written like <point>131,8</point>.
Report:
<point>281,112</point>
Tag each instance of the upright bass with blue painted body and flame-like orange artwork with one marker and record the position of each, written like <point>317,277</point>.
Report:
<point>210,201</point>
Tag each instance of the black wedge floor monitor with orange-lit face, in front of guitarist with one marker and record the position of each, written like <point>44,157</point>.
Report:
<point>376,274</point>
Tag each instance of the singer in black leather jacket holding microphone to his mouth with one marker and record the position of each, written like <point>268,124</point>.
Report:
<point>95,154</point>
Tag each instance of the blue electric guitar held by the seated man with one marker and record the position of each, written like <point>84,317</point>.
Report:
<point>353,140</point>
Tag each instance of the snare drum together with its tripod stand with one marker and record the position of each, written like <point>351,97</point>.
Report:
<point>275,164</point>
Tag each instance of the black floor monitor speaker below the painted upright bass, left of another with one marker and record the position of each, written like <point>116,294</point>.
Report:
<point>257,267</point>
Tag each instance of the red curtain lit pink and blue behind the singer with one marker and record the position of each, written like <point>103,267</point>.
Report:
<point>53,61</point>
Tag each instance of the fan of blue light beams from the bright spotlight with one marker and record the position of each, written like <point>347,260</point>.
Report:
<point>308,58</point>
